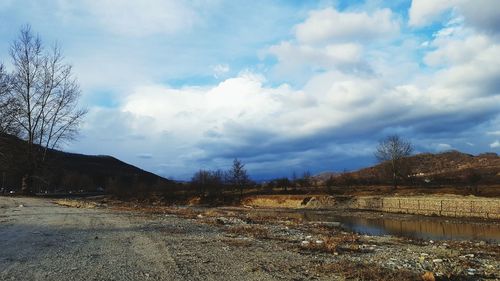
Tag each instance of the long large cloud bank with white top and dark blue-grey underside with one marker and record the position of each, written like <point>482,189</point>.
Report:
<point>241,117</point>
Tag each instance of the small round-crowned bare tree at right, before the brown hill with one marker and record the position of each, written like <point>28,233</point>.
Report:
<point>393,150</point>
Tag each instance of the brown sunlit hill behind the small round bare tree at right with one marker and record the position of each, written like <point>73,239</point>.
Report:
<point>448,167</point>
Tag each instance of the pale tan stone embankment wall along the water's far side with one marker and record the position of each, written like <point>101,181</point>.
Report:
<point>446,206</point>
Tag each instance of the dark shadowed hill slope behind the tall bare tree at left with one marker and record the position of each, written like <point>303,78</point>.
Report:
<point>69,171</point>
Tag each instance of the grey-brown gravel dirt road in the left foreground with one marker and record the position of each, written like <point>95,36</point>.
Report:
<point>40,240</point>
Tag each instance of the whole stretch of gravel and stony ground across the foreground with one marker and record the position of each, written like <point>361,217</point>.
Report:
<point>40,240</point>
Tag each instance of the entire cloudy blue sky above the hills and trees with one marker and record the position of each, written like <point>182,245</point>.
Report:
<point>286,86</point>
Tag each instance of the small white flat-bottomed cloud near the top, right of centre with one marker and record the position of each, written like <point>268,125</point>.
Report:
<point>330,25</point>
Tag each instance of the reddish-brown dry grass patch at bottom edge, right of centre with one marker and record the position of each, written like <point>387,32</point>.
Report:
<point>363,271</point>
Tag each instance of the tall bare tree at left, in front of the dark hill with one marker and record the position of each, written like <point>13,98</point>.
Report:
<point>44,95</point>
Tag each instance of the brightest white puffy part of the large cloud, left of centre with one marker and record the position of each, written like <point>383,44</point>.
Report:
<point>195,111</point>
